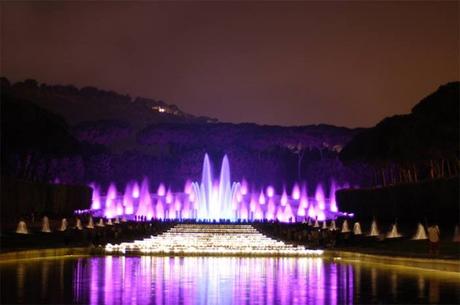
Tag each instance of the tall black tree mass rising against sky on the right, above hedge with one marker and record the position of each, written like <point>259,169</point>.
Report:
<point>422,145</point>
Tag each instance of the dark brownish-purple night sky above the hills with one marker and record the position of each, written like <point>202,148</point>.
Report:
<point>294,63</point>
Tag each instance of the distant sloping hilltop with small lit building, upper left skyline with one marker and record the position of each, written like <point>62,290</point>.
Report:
<point>93,104</point>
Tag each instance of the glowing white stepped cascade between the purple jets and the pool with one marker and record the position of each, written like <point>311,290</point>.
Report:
<point>211,239</point>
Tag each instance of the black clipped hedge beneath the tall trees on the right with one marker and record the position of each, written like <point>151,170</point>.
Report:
<point>425,202</point>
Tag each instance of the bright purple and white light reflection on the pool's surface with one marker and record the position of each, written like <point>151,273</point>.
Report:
<point>253,281</point>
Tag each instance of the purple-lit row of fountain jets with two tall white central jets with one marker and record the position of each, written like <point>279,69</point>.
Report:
<point>215,200</point>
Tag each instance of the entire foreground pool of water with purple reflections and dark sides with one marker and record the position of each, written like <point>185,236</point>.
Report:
<point>219,280</point>
